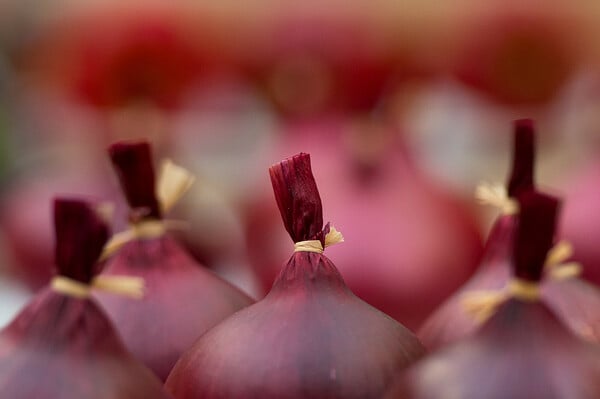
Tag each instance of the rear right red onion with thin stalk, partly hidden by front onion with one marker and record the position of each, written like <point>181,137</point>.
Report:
<point>573,299</point>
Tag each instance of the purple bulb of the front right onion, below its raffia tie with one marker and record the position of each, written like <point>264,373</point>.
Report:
<point>523,352</point>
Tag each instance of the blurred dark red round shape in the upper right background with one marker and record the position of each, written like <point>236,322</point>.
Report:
<point>517,57</point>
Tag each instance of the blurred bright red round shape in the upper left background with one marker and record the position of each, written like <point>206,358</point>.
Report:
<point>150,55</point>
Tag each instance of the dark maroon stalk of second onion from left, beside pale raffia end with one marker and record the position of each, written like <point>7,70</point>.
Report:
<point>133,163</point>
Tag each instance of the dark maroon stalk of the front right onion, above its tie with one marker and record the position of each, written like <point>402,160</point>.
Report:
<point>535,234</point>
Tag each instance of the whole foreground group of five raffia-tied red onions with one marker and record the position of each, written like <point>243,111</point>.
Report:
<point>310,336</point>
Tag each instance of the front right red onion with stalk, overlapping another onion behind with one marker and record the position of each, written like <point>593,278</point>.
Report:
<point>523,351</point>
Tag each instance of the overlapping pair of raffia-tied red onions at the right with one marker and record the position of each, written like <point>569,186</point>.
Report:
<point>537,325</point>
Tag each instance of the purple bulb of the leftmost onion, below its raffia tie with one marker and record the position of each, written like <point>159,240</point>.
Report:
<point>63,347</point>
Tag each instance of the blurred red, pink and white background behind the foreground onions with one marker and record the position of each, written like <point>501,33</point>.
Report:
<point>405,107</point>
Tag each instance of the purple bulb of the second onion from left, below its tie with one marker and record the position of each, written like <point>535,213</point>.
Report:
<point>182,301</point>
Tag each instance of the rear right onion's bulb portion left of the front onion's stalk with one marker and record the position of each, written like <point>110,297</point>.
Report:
<point>451,322</point>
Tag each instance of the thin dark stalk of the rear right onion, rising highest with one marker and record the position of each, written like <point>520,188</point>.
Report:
<point>523,163</point>
